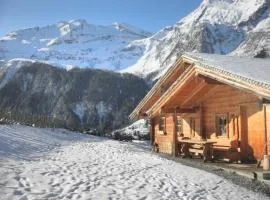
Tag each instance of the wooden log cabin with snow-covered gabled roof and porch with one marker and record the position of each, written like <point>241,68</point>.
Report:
<point>212,106</point>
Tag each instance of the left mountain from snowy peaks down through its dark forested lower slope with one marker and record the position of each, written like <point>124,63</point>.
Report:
<point>31,83</point>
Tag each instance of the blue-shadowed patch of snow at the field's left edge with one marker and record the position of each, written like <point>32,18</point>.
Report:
<point>26,143</point>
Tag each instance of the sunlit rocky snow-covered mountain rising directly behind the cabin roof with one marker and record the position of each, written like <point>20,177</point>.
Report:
<point>238,27</point>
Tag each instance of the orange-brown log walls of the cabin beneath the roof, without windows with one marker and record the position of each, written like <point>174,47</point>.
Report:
<point>246,117</point>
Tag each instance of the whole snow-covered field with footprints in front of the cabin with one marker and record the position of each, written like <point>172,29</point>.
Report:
<point>58,164</point>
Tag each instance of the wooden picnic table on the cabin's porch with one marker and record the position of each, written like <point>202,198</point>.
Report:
<point>189,147</point>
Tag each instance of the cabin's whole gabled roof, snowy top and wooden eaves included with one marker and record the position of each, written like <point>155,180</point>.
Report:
<point>250,74</point>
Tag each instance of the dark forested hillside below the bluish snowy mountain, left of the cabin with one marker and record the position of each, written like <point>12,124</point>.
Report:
<point>96,99</point>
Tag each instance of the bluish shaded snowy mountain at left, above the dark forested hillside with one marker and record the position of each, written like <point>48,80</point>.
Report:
<point>76,43</point>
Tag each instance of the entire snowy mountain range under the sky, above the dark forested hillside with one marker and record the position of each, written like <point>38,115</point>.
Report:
<point>235,27</point>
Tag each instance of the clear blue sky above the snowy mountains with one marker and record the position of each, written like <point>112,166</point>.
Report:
<point>151,15</point>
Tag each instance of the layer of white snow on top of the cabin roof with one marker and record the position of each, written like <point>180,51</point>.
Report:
<point>253,70</point>
